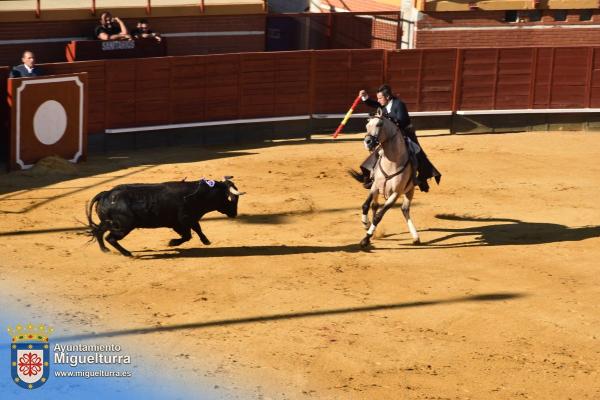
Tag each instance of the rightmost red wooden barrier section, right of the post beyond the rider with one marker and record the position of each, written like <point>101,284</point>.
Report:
<point>521,78</point>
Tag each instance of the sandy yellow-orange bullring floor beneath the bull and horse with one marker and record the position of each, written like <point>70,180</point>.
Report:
<point>500,301</point>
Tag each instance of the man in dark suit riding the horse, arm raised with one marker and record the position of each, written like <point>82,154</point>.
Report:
<point>395,109</point>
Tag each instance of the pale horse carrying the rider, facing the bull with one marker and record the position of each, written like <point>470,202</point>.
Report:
<point>392,175</point>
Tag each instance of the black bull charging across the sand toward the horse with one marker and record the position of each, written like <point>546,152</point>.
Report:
<point>175,205</point>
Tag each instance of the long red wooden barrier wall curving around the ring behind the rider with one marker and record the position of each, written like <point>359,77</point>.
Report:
<point>173,90</point>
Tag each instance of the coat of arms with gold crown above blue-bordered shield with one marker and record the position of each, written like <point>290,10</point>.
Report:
<point>30,355</point>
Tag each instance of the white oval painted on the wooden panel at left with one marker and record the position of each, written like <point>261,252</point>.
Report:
<point>50,122</point>
